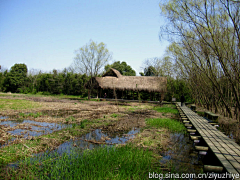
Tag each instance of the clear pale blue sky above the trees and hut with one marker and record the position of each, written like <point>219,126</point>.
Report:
<point>44,34</point>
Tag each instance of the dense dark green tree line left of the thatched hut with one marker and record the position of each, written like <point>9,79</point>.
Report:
<point>18,80</point>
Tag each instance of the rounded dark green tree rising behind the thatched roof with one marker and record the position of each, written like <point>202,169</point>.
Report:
<point>122,67</point>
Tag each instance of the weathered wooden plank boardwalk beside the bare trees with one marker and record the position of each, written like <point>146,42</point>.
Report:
<point>225,149</point>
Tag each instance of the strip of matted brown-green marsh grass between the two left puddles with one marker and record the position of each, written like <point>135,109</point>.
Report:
<point>24,148</point>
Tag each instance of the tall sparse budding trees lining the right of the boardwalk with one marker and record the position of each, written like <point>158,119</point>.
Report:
<point>205,46</point>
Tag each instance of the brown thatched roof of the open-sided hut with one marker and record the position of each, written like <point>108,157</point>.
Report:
<point>114,80</point>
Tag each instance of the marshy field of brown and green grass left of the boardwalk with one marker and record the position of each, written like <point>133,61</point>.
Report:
<point>114,154</point>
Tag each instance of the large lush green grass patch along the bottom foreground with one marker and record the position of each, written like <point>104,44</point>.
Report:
<point>125,162</point>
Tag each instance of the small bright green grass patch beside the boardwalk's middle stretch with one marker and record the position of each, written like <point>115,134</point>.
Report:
<point>171,124</point>
